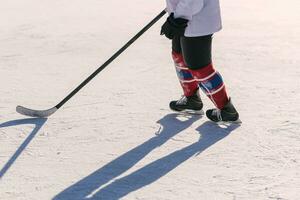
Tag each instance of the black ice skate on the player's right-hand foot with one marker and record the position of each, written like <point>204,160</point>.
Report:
<point>227,114</point>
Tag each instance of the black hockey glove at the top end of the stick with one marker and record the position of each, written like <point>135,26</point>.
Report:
<point>174,27</point>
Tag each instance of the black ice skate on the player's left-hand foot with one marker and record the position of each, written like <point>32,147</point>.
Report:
<point>192,104</point>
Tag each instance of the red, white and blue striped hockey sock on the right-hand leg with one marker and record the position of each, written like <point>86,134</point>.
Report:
<point>211,82</point>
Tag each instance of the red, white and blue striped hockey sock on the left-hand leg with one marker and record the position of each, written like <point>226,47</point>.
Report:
<point>187,81</point>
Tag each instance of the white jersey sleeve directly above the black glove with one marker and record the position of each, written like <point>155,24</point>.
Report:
<point>187,8</point>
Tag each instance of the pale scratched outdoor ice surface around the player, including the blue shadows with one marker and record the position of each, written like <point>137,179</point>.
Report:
<point>117,139</point>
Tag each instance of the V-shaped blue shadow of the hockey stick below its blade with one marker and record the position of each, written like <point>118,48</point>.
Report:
<point>38,122</point>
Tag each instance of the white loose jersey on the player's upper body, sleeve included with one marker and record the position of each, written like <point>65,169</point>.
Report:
<point>204,15</point>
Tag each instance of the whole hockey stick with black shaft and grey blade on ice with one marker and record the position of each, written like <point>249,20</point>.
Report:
<point>46,113</point>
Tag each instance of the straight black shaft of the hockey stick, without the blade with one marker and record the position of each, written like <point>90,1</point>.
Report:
<point>112,58</point>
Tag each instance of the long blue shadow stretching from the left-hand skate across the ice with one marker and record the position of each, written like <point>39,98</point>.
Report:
<point>171,125</point>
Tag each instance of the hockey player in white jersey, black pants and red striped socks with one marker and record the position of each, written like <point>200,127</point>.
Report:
<point>190,26</point>
